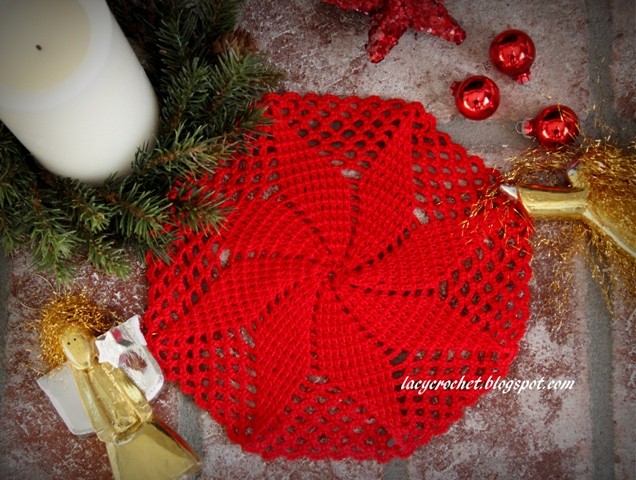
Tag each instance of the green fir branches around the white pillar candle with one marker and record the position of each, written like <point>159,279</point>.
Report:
<point>209,112</point>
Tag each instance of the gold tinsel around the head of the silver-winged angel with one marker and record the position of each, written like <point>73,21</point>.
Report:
<point>65,310</point>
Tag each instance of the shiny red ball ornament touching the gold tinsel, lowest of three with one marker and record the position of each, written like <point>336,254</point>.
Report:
<point>554,127</point>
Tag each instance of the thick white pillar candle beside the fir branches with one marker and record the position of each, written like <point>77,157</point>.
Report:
<point>71,88</point>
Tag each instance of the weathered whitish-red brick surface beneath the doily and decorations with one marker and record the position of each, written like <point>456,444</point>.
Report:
<point>585,56</point>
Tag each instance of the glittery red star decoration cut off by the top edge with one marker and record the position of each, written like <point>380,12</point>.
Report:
<point>391,18</point>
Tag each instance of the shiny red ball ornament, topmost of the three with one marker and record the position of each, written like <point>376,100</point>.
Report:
<point>512,52</point>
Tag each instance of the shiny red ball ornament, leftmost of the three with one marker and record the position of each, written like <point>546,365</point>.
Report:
<point>477,97</point>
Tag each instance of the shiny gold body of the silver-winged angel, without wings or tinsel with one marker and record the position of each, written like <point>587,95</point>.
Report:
<point>139,445</point>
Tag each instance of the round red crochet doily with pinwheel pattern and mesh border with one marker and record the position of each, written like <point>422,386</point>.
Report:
<point>351,259</point>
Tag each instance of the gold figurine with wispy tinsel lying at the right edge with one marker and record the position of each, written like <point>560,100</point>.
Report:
<point>596,197</point>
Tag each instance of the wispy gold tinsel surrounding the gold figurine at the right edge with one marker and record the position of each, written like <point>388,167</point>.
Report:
<point>610,173</point>
